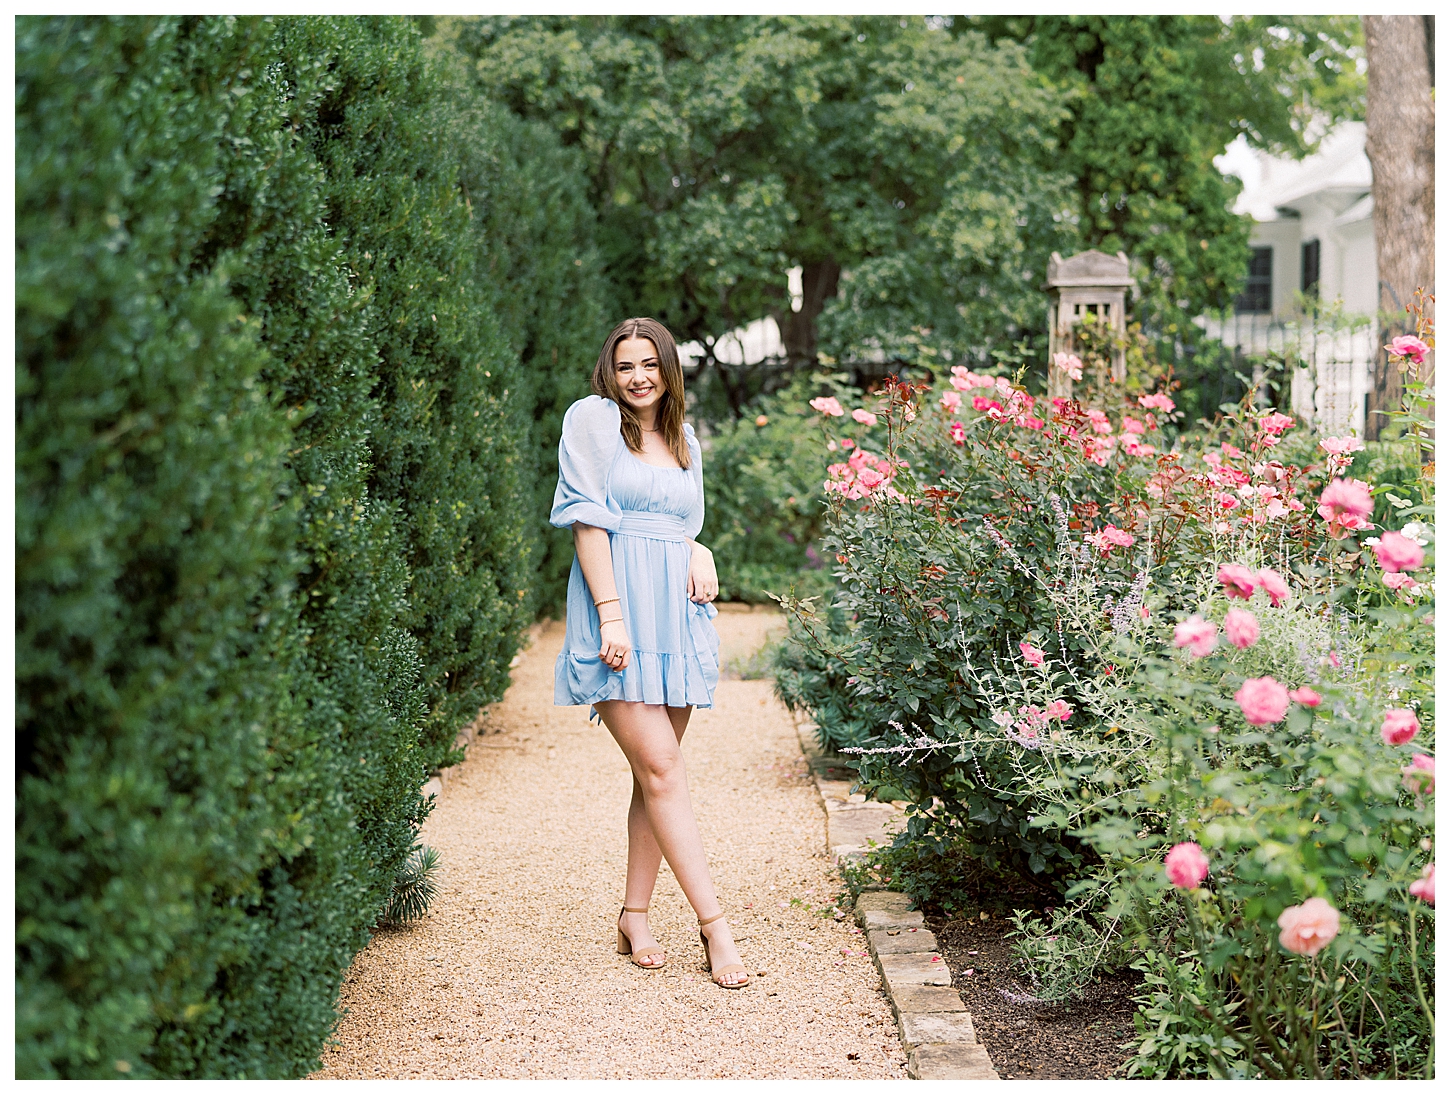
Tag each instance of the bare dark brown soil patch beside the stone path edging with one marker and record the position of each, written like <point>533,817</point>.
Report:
<point>1078,1041</point>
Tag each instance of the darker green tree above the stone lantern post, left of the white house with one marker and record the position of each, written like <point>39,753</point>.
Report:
<point>1152,101</point>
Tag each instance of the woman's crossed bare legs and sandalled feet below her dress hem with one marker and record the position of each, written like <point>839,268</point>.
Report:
<point>650,737</point>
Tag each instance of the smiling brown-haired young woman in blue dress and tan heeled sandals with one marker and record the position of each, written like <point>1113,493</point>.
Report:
<point>640,643</point>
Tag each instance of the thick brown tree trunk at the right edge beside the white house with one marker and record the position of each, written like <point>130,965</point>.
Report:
<point>1401,144</point>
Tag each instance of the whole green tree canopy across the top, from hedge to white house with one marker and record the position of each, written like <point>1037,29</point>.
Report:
<point>919,170</point>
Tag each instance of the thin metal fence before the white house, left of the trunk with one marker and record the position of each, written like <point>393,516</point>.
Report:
<point>1330,362</point>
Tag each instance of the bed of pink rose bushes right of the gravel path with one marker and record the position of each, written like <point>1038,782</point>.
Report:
<point>1187,688</point>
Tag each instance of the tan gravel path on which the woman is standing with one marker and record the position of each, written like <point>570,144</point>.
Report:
<point>514,974</point>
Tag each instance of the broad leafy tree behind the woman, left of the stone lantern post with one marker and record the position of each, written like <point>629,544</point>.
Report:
<point>903,168</point>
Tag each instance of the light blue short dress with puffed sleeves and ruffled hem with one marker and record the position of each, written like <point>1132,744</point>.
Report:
<point>650,514</point>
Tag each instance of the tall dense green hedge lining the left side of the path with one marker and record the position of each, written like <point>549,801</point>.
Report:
<point>273,472</point>
